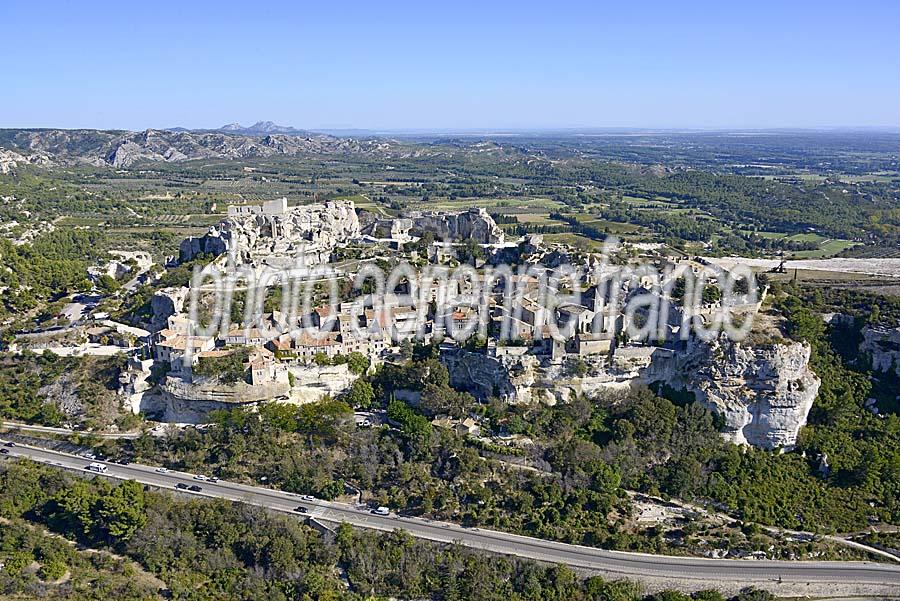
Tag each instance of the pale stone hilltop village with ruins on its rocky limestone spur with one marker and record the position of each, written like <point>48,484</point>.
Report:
<point>525,351</point>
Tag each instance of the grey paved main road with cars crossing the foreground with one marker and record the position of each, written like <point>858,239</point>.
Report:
<point>817,578</point>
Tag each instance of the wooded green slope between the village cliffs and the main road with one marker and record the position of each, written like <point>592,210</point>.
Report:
<point>589,452</point>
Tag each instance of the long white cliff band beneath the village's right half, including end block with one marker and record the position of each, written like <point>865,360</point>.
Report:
<point>764,394</point>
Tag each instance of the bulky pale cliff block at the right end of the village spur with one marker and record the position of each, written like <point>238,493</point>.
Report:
<point>764,394</point>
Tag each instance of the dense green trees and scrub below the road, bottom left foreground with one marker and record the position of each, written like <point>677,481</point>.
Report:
<point>217,549</point>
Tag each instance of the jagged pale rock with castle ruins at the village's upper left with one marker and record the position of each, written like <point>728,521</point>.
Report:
<point>310,232</point>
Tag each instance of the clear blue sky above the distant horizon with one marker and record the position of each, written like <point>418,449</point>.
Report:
<point>450,65</point>
